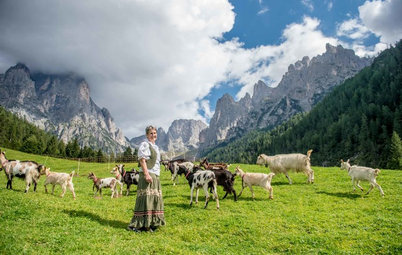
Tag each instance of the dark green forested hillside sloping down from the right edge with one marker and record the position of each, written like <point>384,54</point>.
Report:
<point>360,119</point>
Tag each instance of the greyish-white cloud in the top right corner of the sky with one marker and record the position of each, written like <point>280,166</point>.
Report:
<point>383,18</point>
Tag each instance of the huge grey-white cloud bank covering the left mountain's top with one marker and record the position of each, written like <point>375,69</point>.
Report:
<point>146,61</point>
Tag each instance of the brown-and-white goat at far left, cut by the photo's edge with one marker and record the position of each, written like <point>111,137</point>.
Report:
<point>28,170</point>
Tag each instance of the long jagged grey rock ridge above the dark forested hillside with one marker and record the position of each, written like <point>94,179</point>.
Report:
<point>304,84</point>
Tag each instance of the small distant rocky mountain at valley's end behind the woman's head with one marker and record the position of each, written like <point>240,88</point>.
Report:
<point>182,137</point>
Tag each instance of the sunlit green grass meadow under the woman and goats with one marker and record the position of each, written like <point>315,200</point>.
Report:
<point>326,217</point>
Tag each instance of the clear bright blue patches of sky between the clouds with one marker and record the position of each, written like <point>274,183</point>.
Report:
<point>259,23</point>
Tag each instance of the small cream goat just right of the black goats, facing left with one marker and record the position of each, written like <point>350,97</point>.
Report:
<point>255,179</point>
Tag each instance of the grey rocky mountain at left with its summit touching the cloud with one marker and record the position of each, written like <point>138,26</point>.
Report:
<point>60,104</point>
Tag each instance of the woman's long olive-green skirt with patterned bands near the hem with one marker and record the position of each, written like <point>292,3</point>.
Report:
<point>148,210</point>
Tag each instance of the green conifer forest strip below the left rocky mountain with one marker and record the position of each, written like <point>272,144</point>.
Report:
<point>18,134</point>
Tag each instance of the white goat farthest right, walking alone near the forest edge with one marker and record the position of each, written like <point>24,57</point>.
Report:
<point>361,173</point>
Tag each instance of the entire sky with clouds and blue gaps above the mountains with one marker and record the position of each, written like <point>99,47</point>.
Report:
<point>154,61</point>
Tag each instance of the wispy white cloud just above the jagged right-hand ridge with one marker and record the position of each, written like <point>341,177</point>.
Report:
<point>270,63</point>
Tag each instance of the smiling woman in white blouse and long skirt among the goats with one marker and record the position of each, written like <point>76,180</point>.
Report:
<point>148,210</point>
